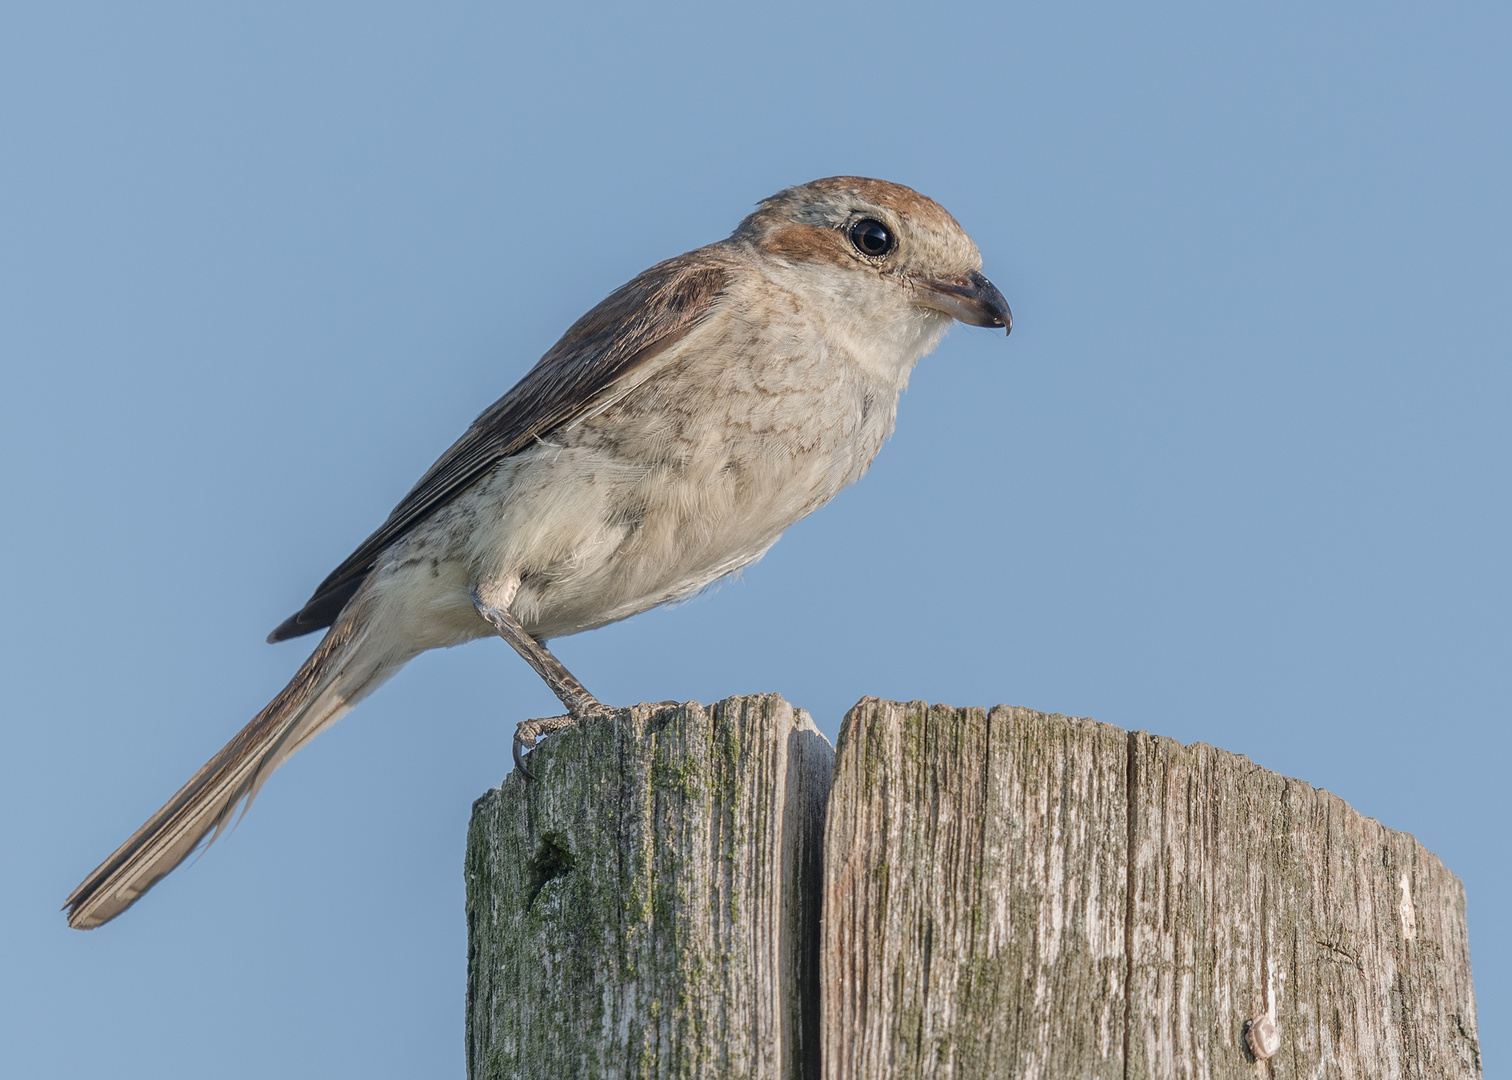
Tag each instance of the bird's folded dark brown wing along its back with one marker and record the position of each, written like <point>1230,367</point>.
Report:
<point>609,346</point>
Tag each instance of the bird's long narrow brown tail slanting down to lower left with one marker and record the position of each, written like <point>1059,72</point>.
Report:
<point>335,678</point>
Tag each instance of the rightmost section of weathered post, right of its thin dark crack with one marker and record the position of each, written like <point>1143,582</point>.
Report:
<point>1257,895</point>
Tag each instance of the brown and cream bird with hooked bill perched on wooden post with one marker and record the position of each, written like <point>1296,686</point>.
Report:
<point>668,441</point>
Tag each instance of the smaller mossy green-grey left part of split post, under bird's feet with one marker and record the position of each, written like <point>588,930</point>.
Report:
<point>649,907</point>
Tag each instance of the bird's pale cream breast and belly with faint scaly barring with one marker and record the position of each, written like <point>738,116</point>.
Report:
<point>751,426</point>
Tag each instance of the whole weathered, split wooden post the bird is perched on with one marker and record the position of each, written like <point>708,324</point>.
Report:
<point>1005,895</point>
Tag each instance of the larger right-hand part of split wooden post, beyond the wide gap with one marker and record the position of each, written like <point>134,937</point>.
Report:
<point>1017,895</point>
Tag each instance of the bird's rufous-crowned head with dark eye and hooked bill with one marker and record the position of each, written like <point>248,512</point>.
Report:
<point>879,247</point>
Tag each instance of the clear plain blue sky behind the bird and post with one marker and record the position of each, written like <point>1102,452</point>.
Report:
<point>1241,474</point>
